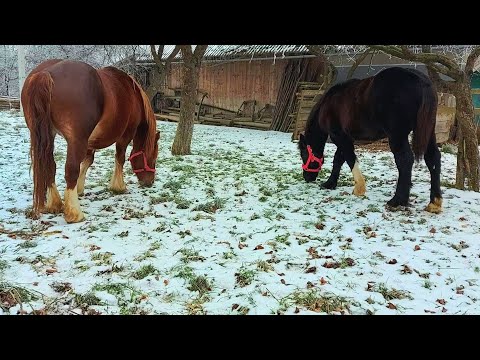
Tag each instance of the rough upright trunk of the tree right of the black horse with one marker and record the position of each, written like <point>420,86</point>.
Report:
<point>468,156</point>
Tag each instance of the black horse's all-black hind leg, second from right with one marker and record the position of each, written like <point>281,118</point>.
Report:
<point>404,160</point>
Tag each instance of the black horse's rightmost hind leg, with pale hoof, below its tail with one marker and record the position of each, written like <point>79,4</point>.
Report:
<point>432,159</point>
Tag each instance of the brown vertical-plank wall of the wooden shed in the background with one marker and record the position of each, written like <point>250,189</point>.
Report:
<point>228,84</point>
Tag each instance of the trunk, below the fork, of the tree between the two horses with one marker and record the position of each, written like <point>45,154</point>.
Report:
<point>183,137</point>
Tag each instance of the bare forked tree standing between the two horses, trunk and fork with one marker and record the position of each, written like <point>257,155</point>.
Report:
<point>190,75</point>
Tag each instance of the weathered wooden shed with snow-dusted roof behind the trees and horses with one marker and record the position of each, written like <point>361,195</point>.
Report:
<point>257,85</point>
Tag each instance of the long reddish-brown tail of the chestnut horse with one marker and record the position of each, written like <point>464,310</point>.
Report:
<point>38,94</point>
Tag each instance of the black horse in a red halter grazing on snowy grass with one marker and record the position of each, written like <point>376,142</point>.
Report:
<point>391,104</point>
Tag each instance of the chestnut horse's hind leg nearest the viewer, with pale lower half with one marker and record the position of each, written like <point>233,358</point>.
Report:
<point>76,152</point>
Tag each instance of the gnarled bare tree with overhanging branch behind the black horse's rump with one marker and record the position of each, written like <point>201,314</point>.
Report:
<point>458,67</point>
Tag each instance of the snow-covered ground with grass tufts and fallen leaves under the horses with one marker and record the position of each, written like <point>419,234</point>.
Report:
<point>234,229</point>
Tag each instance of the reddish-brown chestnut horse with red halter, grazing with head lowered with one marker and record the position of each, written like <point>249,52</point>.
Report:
<point>91,109</point>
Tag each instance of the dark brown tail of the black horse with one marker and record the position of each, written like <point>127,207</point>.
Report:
<point>426,119</point>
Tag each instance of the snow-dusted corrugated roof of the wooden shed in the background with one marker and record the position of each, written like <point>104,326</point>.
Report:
<point>219,52</point>
